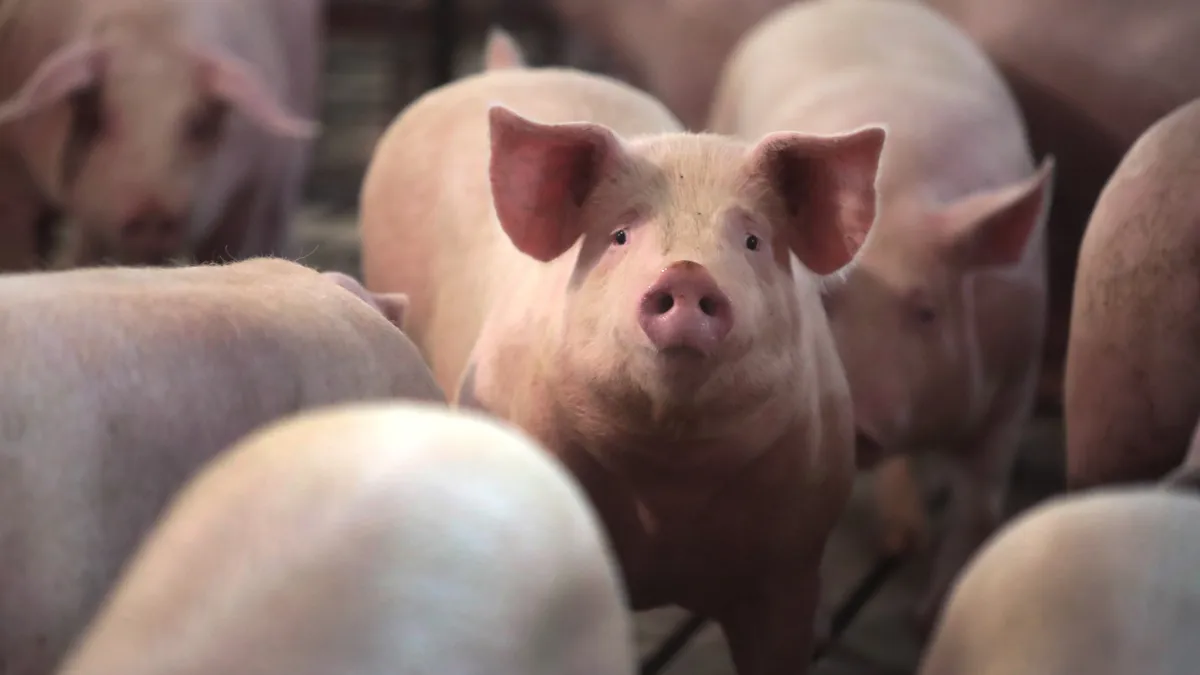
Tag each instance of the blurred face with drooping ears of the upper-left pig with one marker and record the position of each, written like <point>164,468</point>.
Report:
<point>125,123</point>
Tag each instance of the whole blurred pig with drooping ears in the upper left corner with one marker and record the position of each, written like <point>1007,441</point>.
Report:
<point>161,129</point>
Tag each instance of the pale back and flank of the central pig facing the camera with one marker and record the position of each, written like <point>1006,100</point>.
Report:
<point>429,228</point>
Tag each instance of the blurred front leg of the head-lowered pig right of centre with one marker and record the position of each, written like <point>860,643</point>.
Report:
<point>981,475</point>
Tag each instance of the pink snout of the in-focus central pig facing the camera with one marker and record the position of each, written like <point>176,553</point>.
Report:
<point>686,310</point>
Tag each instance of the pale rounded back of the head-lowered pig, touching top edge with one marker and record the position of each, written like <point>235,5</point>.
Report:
<point>807,46</point>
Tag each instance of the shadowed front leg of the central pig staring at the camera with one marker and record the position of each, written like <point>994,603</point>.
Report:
<point>770,631</point>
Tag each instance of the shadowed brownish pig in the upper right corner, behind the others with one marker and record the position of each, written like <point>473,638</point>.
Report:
<point>1091,77</point>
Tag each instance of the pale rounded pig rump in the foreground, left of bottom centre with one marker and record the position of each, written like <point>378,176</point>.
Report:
<point>383,537</point>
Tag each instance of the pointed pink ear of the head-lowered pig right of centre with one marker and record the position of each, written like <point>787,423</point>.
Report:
<point>993,229</point>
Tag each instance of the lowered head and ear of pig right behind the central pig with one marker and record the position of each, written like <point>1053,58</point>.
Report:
<point>907,318</point>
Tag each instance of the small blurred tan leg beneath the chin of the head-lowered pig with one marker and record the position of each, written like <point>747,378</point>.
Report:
<point>904,523</point>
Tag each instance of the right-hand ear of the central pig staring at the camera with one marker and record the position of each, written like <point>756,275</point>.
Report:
<point>827,189</point>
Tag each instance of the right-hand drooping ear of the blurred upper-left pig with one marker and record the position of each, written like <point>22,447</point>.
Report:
<point>231,80</point>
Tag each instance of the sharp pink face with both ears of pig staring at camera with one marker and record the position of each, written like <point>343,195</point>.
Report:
<point>682,282</point>
